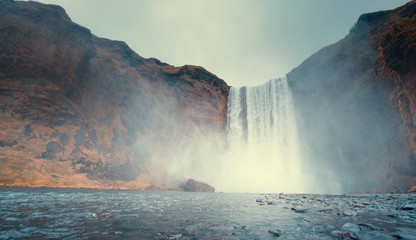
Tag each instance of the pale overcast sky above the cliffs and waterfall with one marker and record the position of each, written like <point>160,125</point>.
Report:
<point>244,42</point>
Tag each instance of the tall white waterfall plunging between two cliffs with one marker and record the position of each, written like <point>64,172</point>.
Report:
<point>263,146</point>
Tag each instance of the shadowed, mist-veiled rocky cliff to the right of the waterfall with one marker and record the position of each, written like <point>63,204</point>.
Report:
<point>356,102</point>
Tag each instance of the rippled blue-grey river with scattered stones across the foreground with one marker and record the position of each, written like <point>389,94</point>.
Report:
<point>121,214</point>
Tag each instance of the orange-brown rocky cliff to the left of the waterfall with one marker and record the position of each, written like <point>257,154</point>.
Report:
<point>82,111</point>
